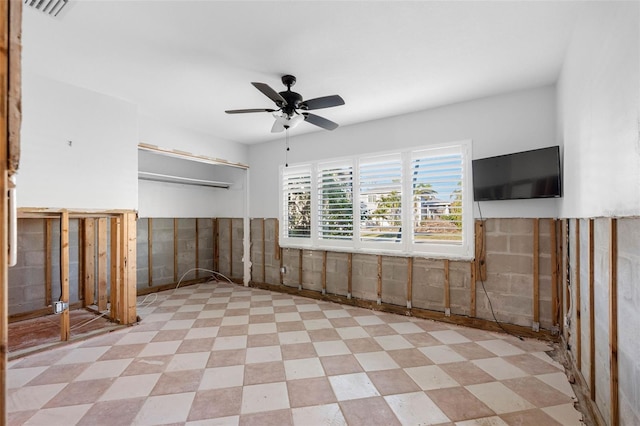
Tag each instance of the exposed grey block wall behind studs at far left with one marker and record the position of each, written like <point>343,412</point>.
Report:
<point>27,281</point>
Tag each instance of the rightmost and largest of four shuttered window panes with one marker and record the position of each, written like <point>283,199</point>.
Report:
<point>437,197</point>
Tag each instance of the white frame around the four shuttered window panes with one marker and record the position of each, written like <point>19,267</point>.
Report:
<point>462,250</point>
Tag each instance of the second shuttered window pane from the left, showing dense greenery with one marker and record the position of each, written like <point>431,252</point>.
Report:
<point>335,202</point>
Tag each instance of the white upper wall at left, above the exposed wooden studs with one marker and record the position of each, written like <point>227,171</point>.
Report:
<point>98,171</point>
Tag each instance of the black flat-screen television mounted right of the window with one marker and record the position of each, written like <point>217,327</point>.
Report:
<point>528,174</point>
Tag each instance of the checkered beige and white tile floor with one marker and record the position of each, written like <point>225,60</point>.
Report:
<point>216,353</point>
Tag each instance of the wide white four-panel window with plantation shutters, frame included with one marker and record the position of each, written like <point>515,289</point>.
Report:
<point>414,201</point>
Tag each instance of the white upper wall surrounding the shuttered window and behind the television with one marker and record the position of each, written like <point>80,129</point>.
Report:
<point>497,125</point>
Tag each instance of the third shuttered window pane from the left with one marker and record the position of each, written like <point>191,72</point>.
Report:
<point>381,195</point>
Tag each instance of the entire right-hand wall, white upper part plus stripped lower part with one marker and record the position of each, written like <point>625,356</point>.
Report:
<point>599,116</point>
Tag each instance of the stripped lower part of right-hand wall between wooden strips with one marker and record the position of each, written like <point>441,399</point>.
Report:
<point>627,315</point>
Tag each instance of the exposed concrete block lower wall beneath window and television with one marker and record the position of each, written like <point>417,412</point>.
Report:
<point>509,284</point>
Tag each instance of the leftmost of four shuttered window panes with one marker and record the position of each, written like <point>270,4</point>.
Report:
<point>297,199</point>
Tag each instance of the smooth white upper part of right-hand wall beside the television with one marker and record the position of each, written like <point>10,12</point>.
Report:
<point>599,106</point>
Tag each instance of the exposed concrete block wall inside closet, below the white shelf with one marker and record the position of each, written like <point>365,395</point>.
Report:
<point>164,232</point>
